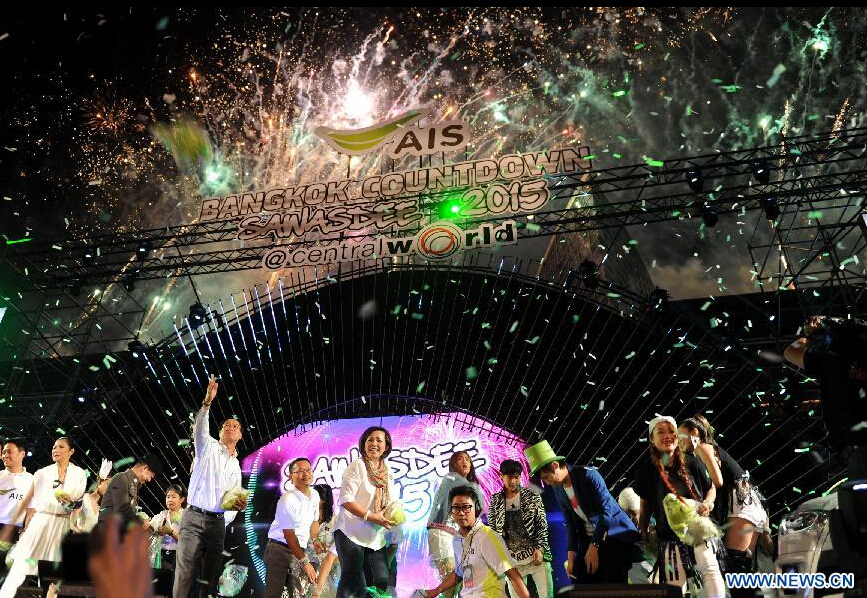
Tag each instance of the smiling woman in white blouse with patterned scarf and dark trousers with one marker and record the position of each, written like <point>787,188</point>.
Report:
<point>365,494</point>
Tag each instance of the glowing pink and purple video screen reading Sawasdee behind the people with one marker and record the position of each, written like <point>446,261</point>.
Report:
<point>422,446</point>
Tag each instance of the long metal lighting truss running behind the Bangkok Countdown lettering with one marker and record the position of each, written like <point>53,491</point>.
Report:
<point>814,170</point>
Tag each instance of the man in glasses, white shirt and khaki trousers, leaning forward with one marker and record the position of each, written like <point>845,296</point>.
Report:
<point>286,563</point>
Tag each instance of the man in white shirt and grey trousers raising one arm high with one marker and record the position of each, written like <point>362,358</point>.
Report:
<point>203,525</point>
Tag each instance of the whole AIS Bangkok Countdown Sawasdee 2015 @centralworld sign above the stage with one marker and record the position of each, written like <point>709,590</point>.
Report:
<point>385,204</point>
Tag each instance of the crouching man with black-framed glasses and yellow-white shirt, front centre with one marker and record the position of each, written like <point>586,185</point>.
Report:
<point>481,557</point>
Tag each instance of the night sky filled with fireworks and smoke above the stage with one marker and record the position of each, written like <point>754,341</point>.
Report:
<point>80,152</point>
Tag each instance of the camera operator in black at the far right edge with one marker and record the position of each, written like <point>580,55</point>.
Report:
<point>834,352</point>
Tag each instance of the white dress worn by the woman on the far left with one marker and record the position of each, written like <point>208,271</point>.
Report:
<point>42,539</point>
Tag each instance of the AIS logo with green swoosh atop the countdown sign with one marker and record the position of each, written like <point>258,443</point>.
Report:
<point>404,138</point>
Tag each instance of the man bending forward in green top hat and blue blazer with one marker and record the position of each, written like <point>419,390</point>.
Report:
<point>599,533</point>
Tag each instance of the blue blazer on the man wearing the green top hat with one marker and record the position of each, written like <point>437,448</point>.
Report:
<point>606,516</point>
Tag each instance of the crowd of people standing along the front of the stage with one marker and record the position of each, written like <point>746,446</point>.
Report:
<point>317,548</point>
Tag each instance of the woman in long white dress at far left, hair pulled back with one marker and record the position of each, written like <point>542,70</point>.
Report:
<point>55,490</point>
